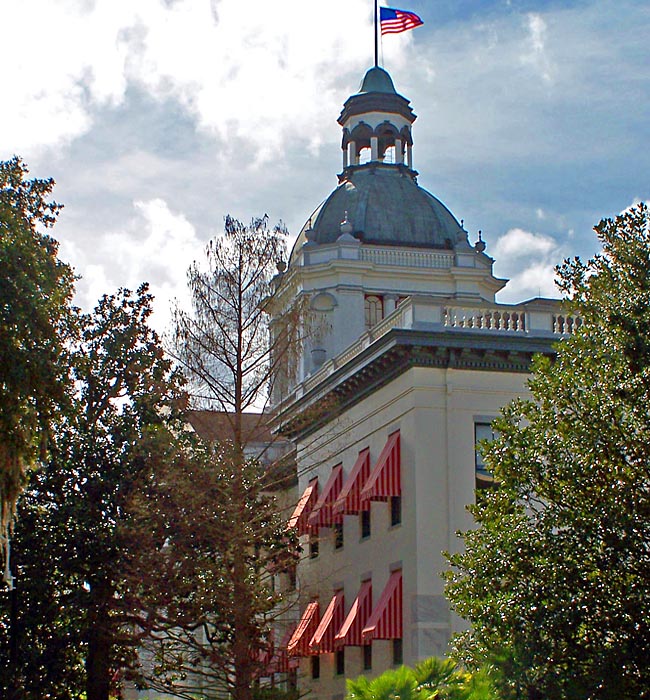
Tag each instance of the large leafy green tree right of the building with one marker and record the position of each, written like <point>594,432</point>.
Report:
<point>555,580</point>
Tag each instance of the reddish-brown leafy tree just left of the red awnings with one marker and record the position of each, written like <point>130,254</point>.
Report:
<point>191,532</point>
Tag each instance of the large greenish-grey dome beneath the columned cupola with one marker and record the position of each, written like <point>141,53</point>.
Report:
<point>385,206</point>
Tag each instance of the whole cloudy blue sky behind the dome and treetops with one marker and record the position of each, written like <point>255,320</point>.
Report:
<point>158,117</point>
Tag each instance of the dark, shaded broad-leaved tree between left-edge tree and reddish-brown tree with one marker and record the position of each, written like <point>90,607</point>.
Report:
<point>79,618</point>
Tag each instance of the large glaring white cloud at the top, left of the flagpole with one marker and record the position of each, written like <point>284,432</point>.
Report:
<point>264,72</point>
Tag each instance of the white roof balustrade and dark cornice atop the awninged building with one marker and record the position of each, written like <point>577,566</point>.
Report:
<point>449,334</point>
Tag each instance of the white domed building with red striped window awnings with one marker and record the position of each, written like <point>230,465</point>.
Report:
<point>408,358</point>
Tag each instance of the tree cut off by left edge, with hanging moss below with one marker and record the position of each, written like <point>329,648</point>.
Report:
<point>35,293</point>
